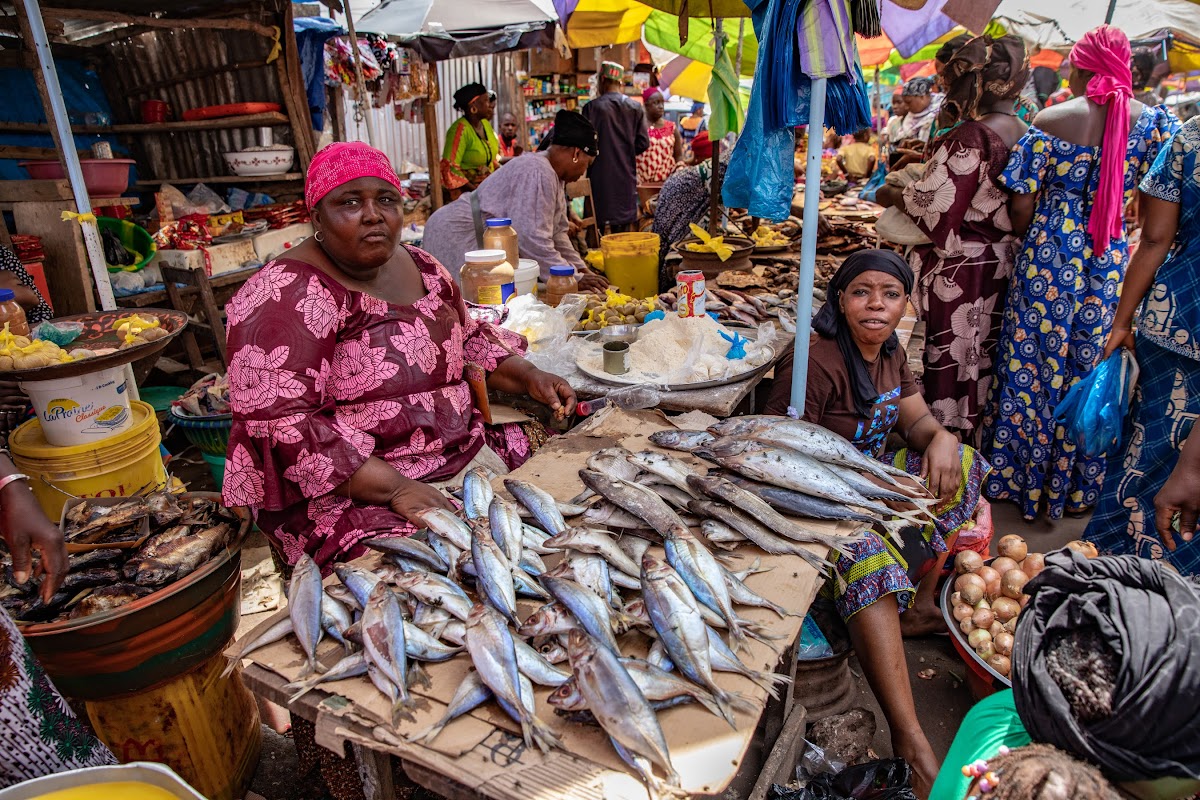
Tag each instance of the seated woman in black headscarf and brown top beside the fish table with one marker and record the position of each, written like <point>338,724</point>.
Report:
<point>860,387</point>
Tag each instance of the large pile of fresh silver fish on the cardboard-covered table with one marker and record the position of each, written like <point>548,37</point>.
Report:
<point>455,587</point>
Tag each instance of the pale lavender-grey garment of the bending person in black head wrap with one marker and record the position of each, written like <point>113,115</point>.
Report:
<point>525,190</point>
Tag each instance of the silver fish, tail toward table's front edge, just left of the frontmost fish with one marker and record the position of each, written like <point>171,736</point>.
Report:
<point>493,652</point>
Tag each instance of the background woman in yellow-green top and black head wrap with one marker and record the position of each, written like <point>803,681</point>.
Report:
<point>472,152</point>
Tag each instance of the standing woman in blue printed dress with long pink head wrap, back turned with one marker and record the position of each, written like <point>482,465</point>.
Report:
<point>1067,177</point>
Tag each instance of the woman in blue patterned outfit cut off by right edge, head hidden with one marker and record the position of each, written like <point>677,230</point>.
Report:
<point>1165,282</point>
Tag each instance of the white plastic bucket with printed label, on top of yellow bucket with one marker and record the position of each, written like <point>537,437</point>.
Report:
<point>83,410</point>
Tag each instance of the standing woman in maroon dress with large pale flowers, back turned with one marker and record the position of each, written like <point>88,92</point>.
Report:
<point>967,266</point>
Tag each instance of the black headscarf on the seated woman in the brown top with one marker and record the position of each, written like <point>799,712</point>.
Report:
<point>831,323</point>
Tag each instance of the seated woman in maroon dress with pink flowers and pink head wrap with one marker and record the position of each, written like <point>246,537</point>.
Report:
<point>346,375</point>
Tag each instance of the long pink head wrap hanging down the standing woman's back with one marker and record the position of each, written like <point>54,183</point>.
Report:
<point>1106,52</point>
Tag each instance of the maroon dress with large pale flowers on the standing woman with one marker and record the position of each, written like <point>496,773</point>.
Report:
<point>964,273</point>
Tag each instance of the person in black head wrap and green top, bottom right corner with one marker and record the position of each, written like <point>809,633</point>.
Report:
<point>1105,654</point>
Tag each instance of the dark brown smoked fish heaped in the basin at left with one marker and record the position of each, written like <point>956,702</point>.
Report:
<point>140,546</point>
